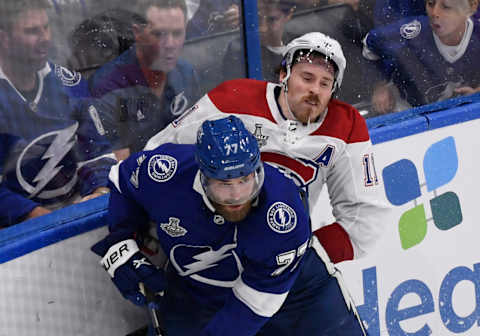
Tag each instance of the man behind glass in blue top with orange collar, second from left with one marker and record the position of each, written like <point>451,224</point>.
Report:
<point>147,86</point>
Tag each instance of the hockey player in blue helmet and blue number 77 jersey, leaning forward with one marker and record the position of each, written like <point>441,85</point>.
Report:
<point>237,236</point>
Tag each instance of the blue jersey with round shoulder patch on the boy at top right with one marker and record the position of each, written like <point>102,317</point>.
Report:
<point>411,58</point>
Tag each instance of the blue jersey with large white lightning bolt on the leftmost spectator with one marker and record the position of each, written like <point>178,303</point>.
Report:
<point>51,147</point>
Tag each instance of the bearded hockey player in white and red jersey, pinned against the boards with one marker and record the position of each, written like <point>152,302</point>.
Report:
<point>313,137</point>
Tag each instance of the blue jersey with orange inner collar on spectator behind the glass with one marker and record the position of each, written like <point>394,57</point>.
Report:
<point>130,112</point>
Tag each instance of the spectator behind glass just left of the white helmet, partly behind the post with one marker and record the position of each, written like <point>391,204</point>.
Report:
<point>273,15</point>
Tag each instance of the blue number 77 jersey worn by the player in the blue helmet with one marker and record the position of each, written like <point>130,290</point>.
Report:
<point>242,270</point>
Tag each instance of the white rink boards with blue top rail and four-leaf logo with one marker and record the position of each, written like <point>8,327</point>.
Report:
<point>423,278</point>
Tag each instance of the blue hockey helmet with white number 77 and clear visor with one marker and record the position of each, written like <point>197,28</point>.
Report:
<point>226,150</point>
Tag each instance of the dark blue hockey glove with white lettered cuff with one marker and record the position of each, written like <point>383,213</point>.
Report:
<point>128,267</point>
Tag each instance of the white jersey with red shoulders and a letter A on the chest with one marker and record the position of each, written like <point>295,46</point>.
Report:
<point>336,150</point>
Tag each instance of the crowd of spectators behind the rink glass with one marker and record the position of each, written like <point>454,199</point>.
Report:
<point>84,83</point>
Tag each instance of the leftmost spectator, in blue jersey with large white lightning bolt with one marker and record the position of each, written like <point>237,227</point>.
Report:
<point>51,147</point>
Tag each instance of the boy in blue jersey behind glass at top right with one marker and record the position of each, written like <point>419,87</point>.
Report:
<point>428,58</point>
